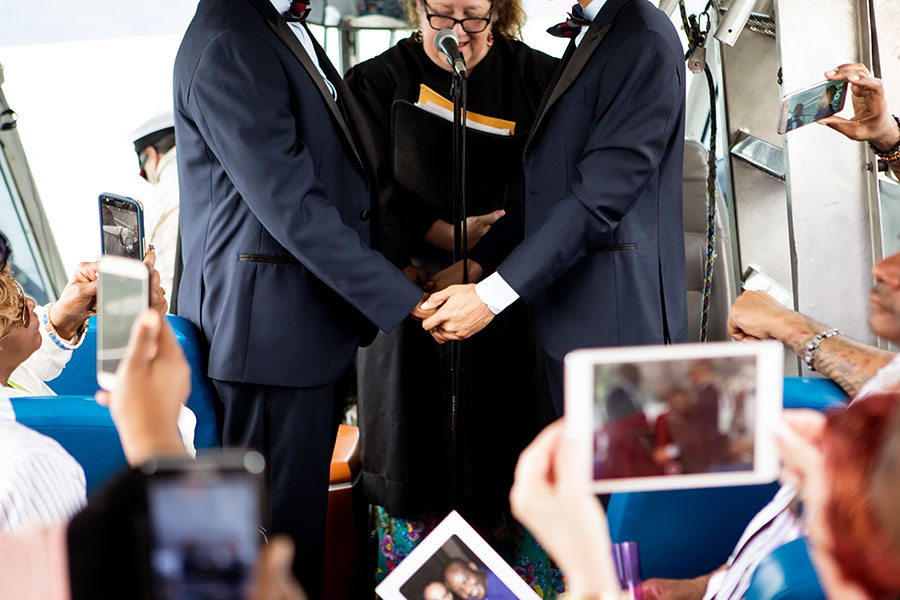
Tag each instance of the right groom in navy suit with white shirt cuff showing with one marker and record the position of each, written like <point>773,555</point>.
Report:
<point>602,262</point>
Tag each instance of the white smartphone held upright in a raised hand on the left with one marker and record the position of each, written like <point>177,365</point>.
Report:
<point>123,293</point>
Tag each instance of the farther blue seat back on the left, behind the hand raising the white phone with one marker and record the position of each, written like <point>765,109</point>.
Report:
<point>79,378</point>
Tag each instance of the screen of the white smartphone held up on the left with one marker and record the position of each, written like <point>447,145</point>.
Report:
<point>120,300</point>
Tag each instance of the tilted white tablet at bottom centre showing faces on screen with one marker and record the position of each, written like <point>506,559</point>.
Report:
<point>452,563</point>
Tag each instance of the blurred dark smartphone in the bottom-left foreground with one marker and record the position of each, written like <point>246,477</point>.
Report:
<point>204,519</point>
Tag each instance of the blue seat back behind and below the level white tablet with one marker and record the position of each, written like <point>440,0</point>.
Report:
<point>686,533</point>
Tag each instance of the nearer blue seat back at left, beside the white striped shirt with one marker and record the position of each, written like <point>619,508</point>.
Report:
<point>81,426</point>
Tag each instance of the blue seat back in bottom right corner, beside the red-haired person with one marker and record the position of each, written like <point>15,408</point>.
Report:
<point>786,574</point>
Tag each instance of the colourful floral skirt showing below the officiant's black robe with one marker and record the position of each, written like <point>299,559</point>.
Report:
<point>398,537</point>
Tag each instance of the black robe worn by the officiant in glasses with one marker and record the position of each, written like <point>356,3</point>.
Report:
<point>404,376</point>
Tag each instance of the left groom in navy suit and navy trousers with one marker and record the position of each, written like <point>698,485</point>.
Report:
<point>276,222</point>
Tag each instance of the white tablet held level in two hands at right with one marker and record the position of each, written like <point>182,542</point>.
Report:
<point>676,417</point>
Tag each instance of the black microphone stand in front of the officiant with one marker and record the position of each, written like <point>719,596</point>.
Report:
<point>460,252</point>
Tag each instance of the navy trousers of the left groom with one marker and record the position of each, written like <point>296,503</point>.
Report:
<point>295,429</point>
